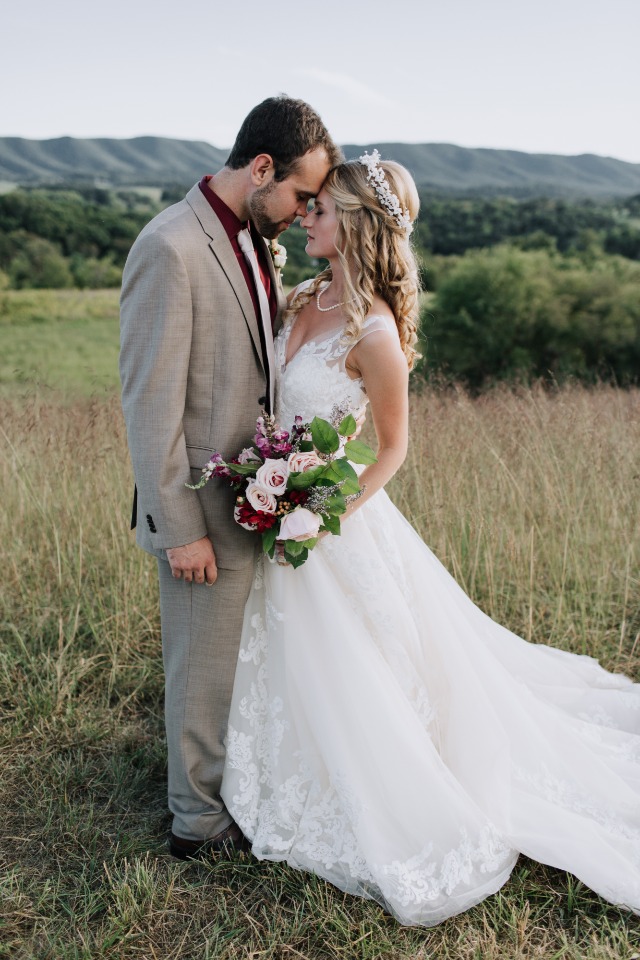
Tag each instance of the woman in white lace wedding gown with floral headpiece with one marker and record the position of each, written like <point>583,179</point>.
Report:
<point>384,732</point>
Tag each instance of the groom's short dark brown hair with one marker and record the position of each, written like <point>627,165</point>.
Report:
<point>284,128</point>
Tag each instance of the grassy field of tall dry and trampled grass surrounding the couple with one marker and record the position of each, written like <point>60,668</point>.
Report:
<point>531,499</point>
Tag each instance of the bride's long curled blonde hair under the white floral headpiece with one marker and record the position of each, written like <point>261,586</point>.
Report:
<point>375,252</point>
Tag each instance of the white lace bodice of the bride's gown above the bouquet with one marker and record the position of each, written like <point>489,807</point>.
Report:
<point>315,379</point>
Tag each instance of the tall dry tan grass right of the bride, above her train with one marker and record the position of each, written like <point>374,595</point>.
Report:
<point>532,500</point>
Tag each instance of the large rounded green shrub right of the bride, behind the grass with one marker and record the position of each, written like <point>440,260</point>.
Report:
<point>505,314</point>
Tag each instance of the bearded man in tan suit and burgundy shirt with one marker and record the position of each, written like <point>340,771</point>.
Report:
<point>200,302</point>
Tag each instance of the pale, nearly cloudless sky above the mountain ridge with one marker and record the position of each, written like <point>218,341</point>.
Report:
<point>551,76</point>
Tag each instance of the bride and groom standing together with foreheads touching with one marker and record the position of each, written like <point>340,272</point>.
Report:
<point>357,717</point>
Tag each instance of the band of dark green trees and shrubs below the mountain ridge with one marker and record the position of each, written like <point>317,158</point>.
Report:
<point>536,288</point>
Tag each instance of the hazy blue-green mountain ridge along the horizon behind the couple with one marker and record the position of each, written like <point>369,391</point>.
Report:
<point>442,167</point>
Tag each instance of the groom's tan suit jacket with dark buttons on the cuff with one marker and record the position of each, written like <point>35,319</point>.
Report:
<point>193,376</point>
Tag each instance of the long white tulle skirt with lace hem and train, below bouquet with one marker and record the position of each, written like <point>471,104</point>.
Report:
<point>390,737</point>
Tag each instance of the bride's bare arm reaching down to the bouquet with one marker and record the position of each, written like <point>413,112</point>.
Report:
<point>379,360</point>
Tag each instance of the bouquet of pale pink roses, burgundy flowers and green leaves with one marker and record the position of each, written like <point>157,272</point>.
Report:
<point>292,486</point>
